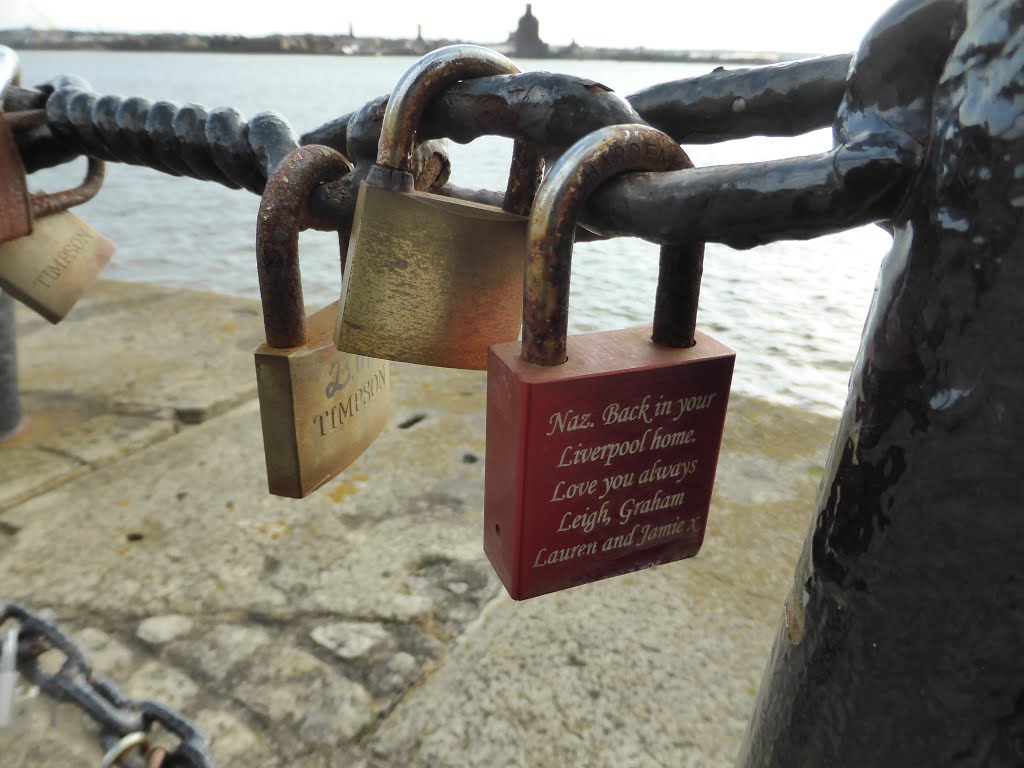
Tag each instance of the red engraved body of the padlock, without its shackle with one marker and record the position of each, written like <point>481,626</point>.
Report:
<point>603,465</point>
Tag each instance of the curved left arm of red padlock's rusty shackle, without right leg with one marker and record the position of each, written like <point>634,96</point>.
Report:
<point>561,200</point>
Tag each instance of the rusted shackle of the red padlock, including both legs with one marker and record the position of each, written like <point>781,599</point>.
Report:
<point>561,200</point>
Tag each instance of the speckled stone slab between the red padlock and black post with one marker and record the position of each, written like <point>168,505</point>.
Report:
<point>658,668</point>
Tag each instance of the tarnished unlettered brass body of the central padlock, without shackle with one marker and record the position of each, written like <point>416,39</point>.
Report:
<point>432,280</point>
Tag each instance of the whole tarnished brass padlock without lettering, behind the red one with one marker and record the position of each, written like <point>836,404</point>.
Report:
<point>430,279</point>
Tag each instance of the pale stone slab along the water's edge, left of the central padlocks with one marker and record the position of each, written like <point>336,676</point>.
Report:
<point>144,349</point>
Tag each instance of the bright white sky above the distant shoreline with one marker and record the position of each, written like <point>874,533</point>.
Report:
<point>794,26</point>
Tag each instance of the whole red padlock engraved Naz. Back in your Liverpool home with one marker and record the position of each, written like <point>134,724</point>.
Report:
<point>602,449</point>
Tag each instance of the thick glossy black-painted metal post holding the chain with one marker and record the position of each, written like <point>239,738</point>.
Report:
<point>908,610</point>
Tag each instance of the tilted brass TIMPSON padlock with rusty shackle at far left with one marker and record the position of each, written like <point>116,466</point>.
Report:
<point>51,270</point>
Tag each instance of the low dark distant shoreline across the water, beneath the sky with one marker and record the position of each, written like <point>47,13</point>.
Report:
<point>348,46</point>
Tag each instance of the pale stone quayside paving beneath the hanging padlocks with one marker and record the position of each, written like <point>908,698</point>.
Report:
<point>362,626</point>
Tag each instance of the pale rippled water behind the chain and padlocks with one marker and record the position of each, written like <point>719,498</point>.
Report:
<point>793,311</point>
